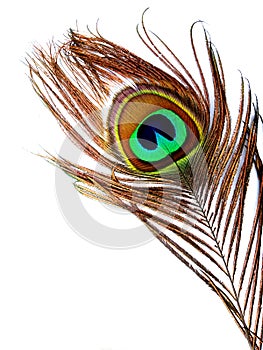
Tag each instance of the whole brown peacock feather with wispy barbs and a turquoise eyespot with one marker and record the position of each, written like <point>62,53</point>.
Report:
<point>176,138</point>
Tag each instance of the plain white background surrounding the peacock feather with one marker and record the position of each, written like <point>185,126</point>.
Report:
<point>57,291</point>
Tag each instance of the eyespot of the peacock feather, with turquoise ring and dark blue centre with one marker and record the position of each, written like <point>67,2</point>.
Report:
<point>152,129</point>
